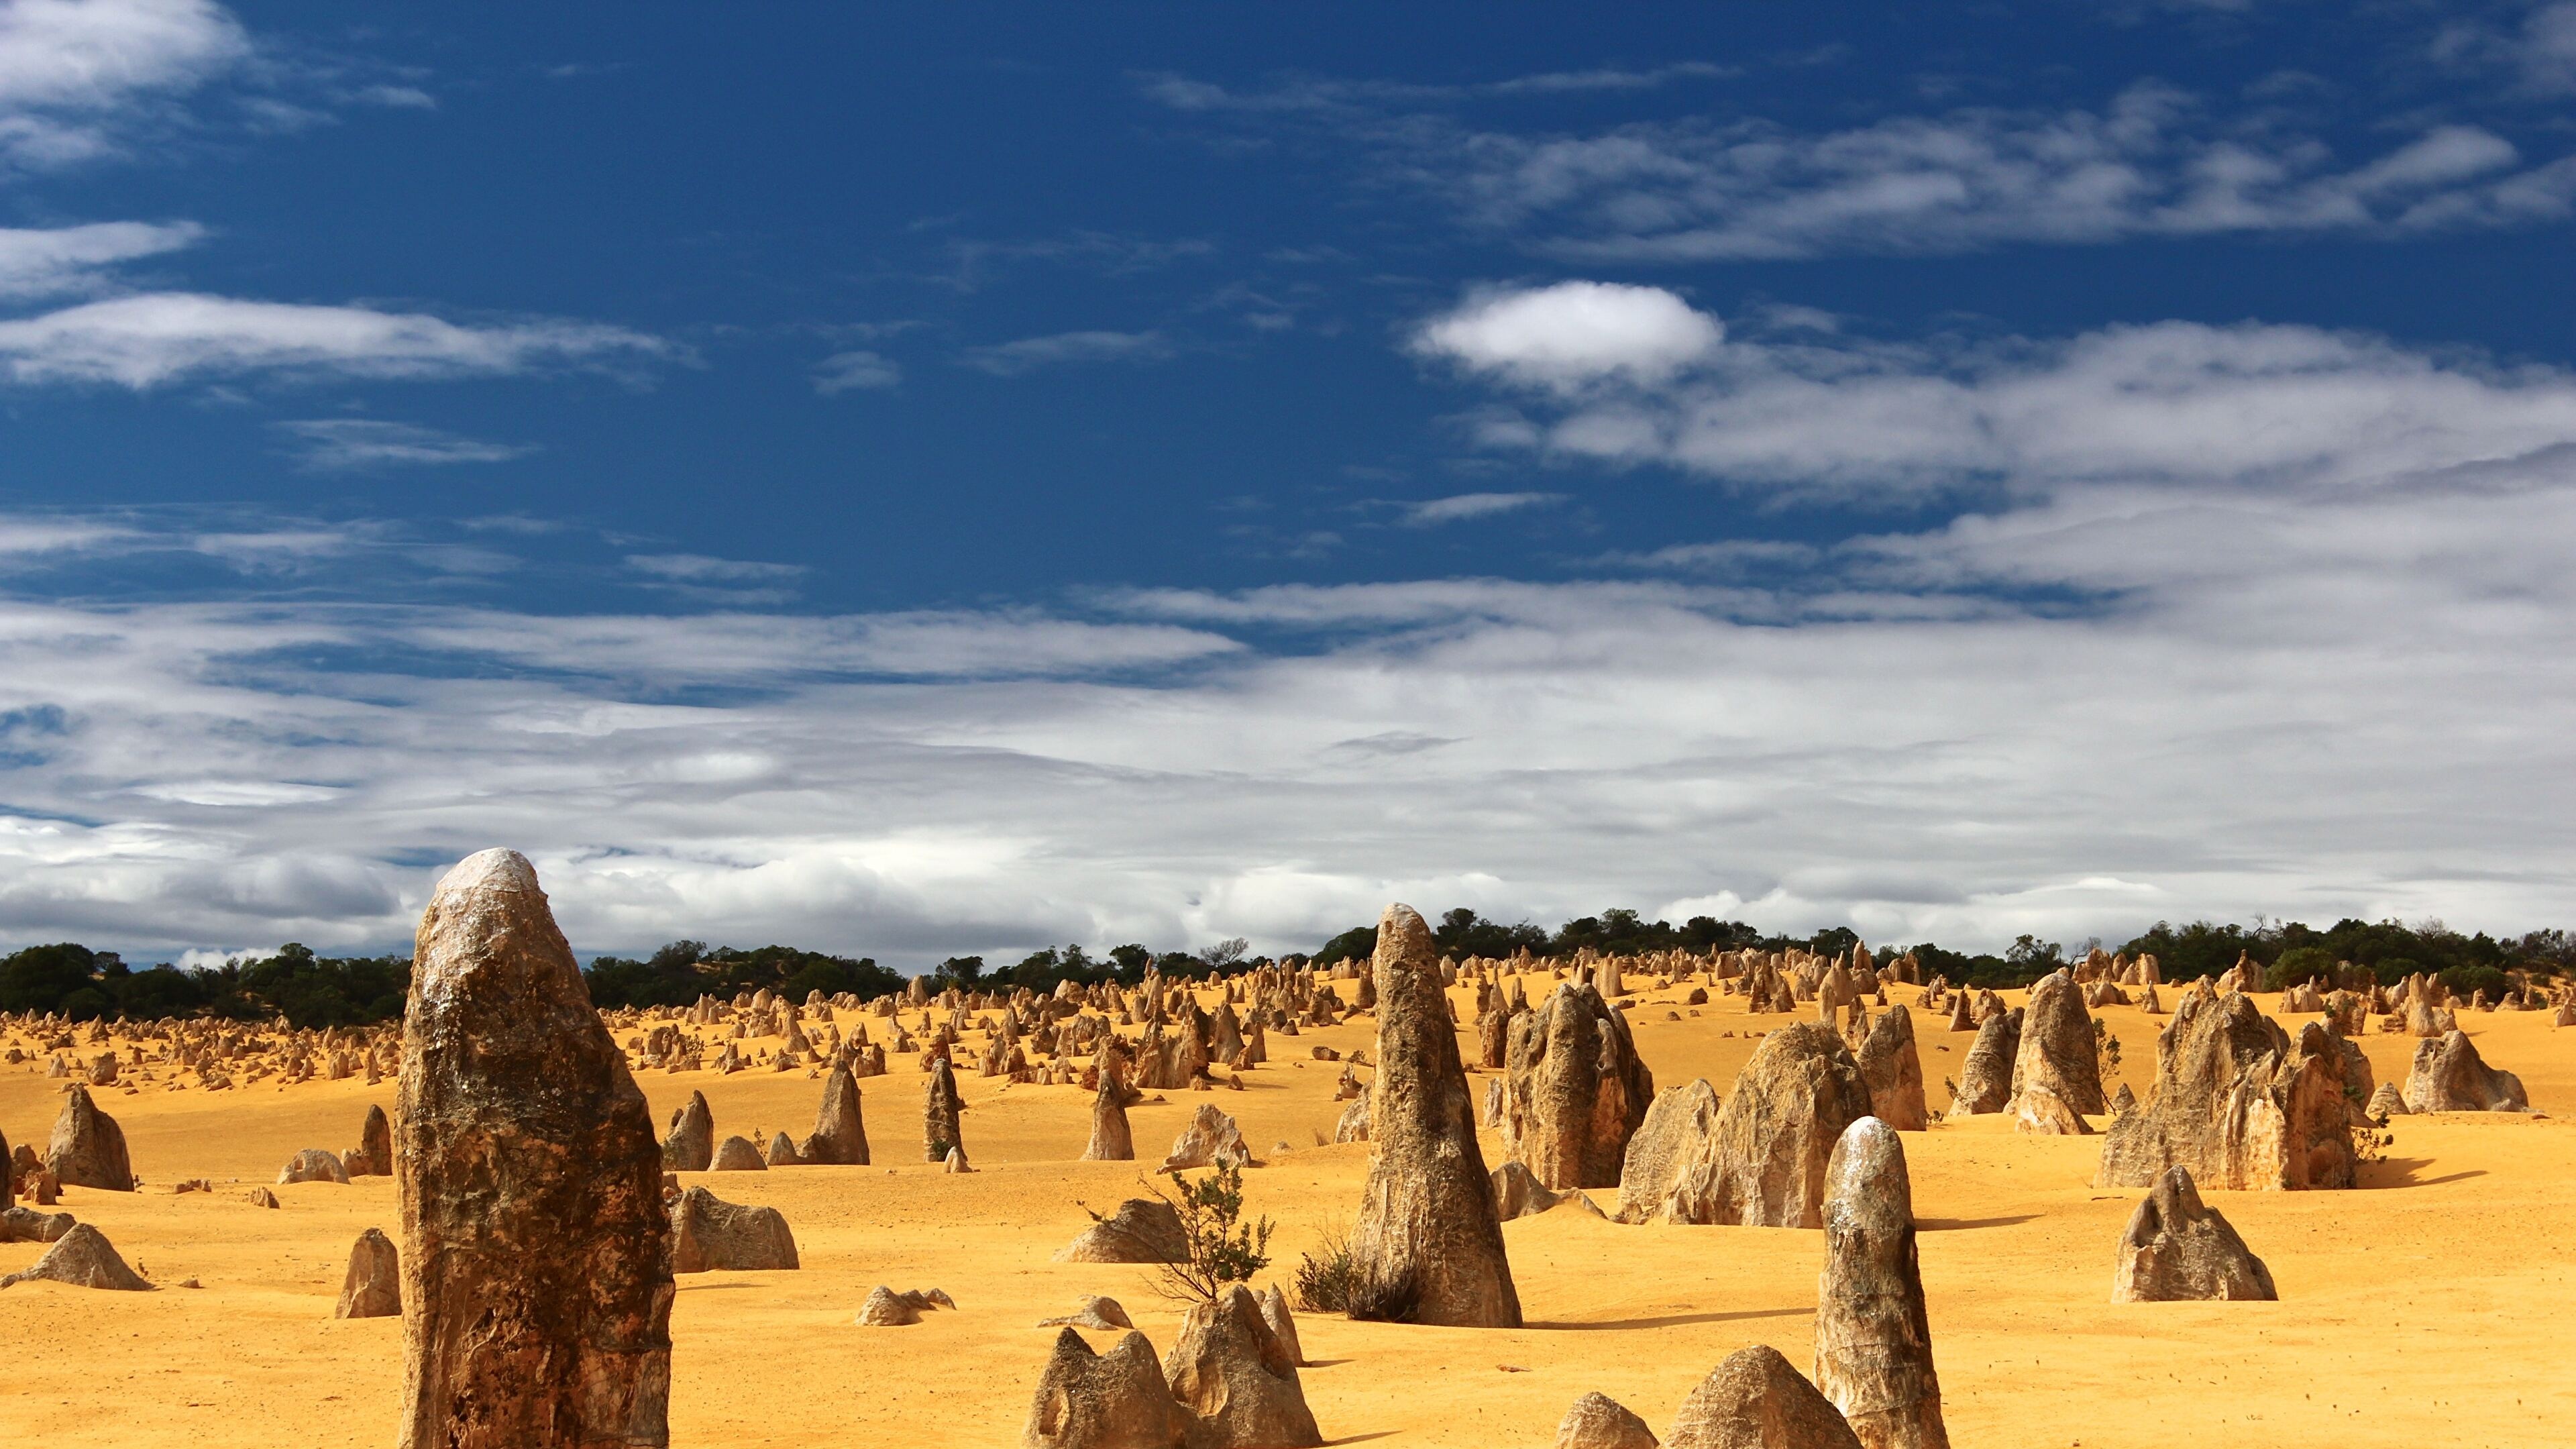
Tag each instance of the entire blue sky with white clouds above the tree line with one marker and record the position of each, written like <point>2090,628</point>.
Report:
<point>957,478</point>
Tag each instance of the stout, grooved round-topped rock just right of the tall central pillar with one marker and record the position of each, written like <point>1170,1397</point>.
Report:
<point>1575,1092</point>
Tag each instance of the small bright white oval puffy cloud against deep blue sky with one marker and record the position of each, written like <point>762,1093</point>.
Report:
<point>1573,334</point>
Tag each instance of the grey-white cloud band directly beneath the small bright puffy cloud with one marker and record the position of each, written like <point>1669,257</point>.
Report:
<point>2170,401</point>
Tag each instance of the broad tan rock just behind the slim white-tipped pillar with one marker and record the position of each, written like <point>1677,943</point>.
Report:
<point>1763,1164</point>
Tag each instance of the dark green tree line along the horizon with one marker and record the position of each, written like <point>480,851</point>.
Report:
<point>357,991</point>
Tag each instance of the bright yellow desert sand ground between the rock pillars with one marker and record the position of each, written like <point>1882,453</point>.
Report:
<point>2428,1308</point>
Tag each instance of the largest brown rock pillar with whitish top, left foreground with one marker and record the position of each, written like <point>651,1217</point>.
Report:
<point>535,1265</point>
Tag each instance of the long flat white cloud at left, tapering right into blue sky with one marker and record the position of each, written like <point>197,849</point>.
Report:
<point>169,336</point>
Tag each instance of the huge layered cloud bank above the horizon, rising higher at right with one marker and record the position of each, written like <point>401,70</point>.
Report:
<point>2253,620</point>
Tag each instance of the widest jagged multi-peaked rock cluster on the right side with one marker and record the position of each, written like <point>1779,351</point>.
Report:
<point>2240,1105</point>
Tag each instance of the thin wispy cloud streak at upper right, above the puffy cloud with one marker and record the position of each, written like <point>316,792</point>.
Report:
<point>2152,164</point>
